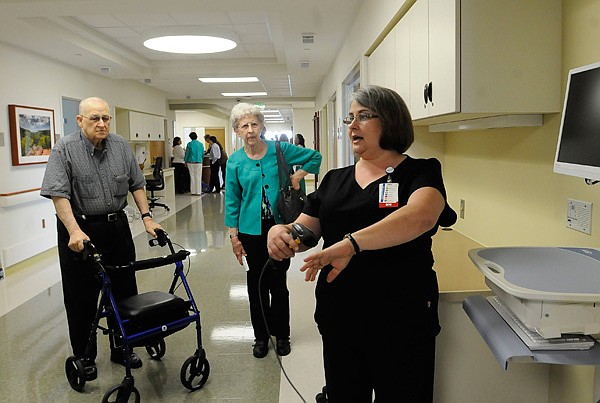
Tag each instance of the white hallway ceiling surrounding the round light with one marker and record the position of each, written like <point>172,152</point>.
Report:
<point>105,37</point>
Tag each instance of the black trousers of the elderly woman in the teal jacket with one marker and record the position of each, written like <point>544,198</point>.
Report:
<point>273,292</point>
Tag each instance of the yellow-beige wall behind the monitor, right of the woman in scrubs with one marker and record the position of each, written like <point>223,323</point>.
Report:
<point>512,195</point>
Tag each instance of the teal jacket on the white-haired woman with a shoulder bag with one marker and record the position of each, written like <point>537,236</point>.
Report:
<point>246,179</point>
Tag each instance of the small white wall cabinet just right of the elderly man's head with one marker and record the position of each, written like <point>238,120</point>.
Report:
<point>138,126</point>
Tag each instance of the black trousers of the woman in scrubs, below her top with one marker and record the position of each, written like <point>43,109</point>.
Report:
<point>398,366</point>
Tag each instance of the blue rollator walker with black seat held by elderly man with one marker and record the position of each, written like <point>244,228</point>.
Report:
<point>143,320</point>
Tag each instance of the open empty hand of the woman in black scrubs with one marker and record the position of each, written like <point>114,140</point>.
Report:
<point>337,255</point>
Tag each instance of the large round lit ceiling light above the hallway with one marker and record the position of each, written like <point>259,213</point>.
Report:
<point>189,40</point>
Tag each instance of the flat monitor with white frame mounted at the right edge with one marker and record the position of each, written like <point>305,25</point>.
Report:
<point>578,148</point>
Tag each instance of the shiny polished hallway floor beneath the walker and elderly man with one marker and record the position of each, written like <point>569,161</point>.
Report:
<point>34,341</point>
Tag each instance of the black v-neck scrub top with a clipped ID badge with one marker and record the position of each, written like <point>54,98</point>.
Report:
<point>391,289</point>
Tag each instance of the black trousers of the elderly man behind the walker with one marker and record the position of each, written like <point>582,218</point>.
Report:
<point>80,283</point>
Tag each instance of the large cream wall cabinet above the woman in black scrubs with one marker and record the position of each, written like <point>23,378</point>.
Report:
<point>476,58</point>
